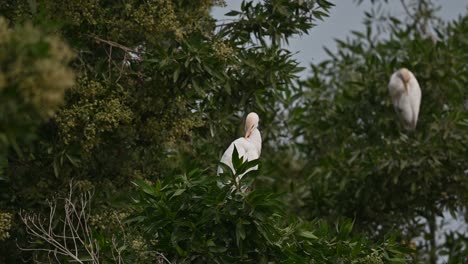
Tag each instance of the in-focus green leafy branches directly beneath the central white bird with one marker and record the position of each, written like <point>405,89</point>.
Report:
<point>189,219</point>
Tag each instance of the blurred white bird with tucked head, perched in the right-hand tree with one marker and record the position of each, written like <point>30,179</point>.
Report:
<point>406,97</point>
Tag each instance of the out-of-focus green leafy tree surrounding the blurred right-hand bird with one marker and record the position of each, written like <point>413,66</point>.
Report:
<point>360,162</point>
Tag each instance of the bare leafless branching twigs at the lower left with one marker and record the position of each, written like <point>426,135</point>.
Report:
<point>70,237</point>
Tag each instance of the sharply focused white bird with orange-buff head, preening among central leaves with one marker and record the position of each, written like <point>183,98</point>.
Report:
<point>249,147</point>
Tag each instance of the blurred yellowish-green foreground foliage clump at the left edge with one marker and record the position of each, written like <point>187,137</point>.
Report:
<point>33,78</point>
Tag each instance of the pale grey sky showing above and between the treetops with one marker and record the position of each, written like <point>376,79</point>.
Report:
<point>344,17</point>
